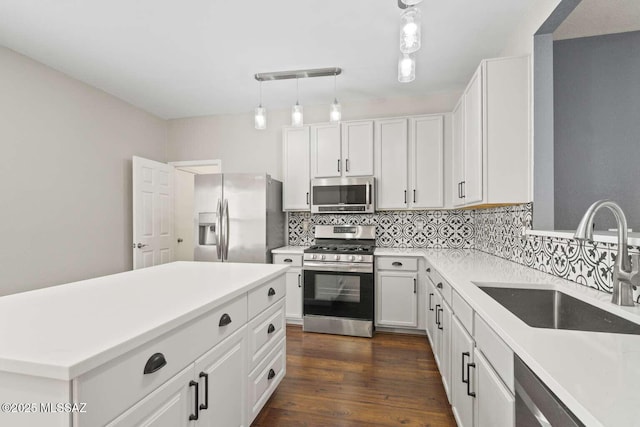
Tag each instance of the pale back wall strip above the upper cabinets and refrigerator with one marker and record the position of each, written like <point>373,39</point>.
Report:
<point>232,138</point>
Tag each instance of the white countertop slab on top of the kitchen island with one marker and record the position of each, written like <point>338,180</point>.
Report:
<point>64,331</point>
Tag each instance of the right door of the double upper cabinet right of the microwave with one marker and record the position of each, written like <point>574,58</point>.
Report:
<point>426,162</point>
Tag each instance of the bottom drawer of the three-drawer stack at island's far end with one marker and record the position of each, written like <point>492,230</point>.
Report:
<point>265,378</point>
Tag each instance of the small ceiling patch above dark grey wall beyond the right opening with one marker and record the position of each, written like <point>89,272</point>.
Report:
<point>598,17</point>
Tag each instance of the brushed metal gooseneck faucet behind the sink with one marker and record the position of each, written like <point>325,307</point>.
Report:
<point>625,272</point>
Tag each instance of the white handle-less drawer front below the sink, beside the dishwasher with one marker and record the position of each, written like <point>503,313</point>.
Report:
<point>499,355</point>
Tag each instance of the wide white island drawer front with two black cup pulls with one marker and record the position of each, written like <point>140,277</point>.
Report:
<point>120,383</point>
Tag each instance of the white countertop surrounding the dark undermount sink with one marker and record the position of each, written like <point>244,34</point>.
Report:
<point>595,374</point>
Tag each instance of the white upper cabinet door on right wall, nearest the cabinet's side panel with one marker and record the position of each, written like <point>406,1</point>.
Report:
<point>473,119</point>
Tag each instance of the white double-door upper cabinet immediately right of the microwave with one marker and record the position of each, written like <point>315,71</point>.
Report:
<point>409,162</point>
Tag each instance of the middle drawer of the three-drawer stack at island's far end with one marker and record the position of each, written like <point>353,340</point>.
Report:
<point>265,331</point>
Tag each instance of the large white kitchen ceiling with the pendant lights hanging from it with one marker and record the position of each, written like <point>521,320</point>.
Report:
<point>198,57</point>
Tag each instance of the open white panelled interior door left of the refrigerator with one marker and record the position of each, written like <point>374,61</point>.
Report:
<point>153,194</point>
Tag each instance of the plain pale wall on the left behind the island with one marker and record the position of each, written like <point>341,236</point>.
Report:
<point>65,175</point>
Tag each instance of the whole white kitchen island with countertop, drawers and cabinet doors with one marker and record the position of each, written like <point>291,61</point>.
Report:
<point>179,342</point>
